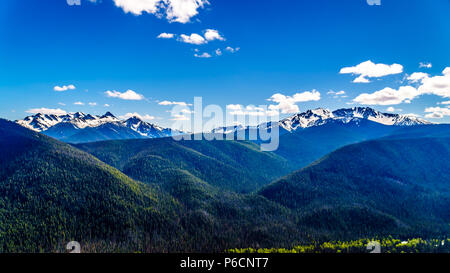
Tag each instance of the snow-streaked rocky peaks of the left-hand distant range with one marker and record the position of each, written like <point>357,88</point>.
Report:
<point>43,122</point>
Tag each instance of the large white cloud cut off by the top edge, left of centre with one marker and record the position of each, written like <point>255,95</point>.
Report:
<point>175,10</point>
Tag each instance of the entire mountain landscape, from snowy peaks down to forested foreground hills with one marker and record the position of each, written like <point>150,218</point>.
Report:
<point>341,175</point>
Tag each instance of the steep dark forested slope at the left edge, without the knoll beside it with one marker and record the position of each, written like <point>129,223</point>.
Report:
<point>51,193</point>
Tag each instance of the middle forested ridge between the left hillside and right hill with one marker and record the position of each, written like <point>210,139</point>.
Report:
<point>230,165</point>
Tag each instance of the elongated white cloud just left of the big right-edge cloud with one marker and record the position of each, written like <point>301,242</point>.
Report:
<point>388,96</point>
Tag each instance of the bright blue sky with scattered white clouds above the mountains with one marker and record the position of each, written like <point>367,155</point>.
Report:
<point>274,47</point>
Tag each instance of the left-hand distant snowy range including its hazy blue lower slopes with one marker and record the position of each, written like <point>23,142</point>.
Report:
<point>80,127</point>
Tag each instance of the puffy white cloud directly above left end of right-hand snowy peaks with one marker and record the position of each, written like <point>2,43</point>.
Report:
<point>287,104</point>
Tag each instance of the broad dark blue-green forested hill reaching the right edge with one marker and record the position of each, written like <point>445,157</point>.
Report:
<point>387,186</point>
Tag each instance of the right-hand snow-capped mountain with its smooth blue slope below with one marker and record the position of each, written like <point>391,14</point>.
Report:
<point>305,137</point>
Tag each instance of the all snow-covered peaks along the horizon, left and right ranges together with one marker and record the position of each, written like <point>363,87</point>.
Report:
<point>69,123</point>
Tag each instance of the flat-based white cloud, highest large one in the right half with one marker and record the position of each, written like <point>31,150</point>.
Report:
<point>369,69</point>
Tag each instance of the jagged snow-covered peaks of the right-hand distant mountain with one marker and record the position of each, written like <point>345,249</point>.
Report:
<point>321,116</point>
